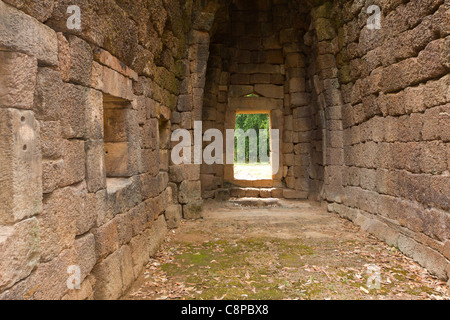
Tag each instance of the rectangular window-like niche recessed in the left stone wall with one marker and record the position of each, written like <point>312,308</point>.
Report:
<point>120,124</point>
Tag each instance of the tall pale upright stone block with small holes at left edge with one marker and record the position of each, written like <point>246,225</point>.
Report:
<point>21,168</point>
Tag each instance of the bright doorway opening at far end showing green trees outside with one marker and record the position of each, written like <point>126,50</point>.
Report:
<point>252,146</point>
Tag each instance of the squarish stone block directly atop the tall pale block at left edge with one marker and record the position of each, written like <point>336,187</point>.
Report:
<point>17,80</point>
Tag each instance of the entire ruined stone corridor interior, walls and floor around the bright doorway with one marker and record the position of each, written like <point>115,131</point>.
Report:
<point>94,92</point>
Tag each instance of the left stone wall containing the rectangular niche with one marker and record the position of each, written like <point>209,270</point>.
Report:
<point>85,141</point>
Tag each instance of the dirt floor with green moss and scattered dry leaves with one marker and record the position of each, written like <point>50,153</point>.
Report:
<point>294,251</point>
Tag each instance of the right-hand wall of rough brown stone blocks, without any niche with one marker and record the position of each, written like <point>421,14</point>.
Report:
<point>383,95</point>
